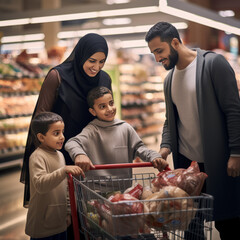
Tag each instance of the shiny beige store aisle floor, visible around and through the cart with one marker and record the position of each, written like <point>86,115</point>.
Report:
<point>13,215</point>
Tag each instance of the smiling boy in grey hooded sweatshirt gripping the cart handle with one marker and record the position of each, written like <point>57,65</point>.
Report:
<point>107,140</point>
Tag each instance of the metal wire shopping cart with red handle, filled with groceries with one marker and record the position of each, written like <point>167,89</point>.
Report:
<point>165,218</point>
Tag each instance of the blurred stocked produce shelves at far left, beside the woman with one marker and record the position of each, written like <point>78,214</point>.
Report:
<point>20,83</point>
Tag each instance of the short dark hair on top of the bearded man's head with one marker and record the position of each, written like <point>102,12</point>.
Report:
<point>166,31</point>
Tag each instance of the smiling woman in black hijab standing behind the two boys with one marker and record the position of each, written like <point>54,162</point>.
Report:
<point>64,92</point>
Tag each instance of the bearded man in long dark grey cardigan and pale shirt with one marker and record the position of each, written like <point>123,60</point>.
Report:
<point>202,119</point>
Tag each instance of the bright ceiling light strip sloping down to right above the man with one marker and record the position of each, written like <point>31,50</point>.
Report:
<point>199,15</point>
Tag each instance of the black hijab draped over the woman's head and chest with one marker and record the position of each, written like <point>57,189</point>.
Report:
<point>75,83</point>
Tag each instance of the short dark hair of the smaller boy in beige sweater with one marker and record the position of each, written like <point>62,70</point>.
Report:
<point>42,121</point>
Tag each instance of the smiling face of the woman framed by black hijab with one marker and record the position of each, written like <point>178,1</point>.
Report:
<point>94,64</point>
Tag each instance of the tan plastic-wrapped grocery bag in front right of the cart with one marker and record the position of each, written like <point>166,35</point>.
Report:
<point>170,208</point>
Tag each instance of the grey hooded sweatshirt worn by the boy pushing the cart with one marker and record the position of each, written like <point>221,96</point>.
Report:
<point>108,143</point>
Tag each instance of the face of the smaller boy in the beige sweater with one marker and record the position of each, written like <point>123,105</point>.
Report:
<point>54,138</point>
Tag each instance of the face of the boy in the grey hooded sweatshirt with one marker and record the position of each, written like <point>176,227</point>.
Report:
<point>104,108</point>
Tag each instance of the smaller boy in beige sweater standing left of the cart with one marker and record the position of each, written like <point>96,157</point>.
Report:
<point>47,215</point>
